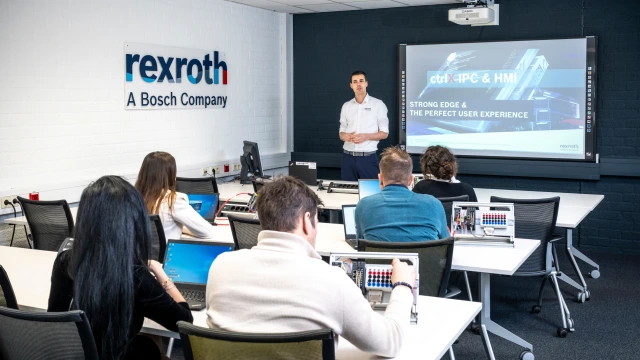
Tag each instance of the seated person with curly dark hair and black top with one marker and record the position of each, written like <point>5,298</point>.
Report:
<point>439,167</point>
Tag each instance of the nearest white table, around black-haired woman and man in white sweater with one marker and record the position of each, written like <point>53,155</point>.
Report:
<point>441,321</point>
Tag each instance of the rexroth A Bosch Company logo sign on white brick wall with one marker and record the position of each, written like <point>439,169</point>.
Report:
<point>163,77</point>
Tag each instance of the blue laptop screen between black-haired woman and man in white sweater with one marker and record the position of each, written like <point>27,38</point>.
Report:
<point>189,261</point>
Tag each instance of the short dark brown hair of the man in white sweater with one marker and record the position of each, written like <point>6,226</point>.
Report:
<point>282,202</point>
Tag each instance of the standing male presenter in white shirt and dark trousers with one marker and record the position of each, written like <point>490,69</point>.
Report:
<point>363,123</point>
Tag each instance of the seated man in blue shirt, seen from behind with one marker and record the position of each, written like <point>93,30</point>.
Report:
<point>397,213</point>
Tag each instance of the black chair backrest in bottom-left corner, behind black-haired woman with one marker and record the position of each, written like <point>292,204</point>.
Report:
<point>45,336</point>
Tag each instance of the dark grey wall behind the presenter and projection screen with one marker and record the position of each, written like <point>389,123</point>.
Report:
<point>329,46</point>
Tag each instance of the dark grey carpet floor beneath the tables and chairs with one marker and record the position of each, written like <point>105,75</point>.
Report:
<point>607,327</point>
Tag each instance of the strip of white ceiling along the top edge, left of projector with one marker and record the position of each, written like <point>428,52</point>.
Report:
<point>311,6</point>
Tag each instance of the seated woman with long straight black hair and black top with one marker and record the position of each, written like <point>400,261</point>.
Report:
<point>108,275</point>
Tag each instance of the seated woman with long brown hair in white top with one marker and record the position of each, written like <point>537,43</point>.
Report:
<point>157,184</point>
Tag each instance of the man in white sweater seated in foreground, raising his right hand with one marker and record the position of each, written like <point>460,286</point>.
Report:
<point>282,284</point>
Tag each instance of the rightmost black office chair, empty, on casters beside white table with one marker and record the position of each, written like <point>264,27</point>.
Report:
<point>536,219</point>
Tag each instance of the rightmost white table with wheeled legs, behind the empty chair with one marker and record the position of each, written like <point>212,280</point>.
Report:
<point>573,209</point>
